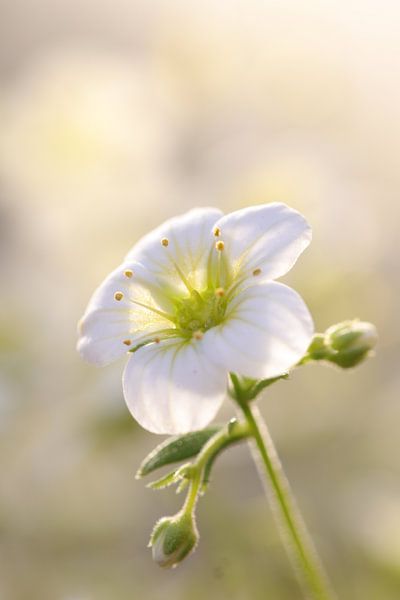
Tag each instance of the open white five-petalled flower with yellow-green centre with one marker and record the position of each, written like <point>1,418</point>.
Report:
<point>193,301</point>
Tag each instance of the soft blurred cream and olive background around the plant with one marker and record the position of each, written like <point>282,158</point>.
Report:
<point>115,115</point>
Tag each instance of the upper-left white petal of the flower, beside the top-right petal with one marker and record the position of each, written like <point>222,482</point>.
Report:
<point>188,240</point>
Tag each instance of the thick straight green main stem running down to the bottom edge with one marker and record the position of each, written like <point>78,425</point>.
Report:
<point>297,540</point>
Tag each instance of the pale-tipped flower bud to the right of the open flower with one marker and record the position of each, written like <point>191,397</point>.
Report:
<point>351,342</point>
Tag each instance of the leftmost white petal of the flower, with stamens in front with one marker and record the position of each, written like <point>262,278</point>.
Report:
<point>127,308</point>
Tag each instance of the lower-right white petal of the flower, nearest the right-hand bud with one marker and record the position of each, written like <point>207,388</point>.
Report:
<point>266,330</point>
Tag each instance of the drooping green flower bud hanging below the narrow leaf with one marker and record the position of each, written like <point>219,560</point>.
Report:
<point>173,538</point>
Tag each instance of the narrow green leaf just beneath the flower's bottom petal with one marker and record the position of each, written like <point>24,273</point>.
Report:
<point>176,449</point>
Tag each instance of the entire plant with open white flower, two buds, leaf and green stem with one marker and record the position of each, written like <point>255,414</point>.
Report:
<point>193,301</point>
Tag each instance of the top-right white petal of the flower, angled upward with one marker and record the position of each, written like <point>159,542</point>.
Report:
<point>264,240</point>
